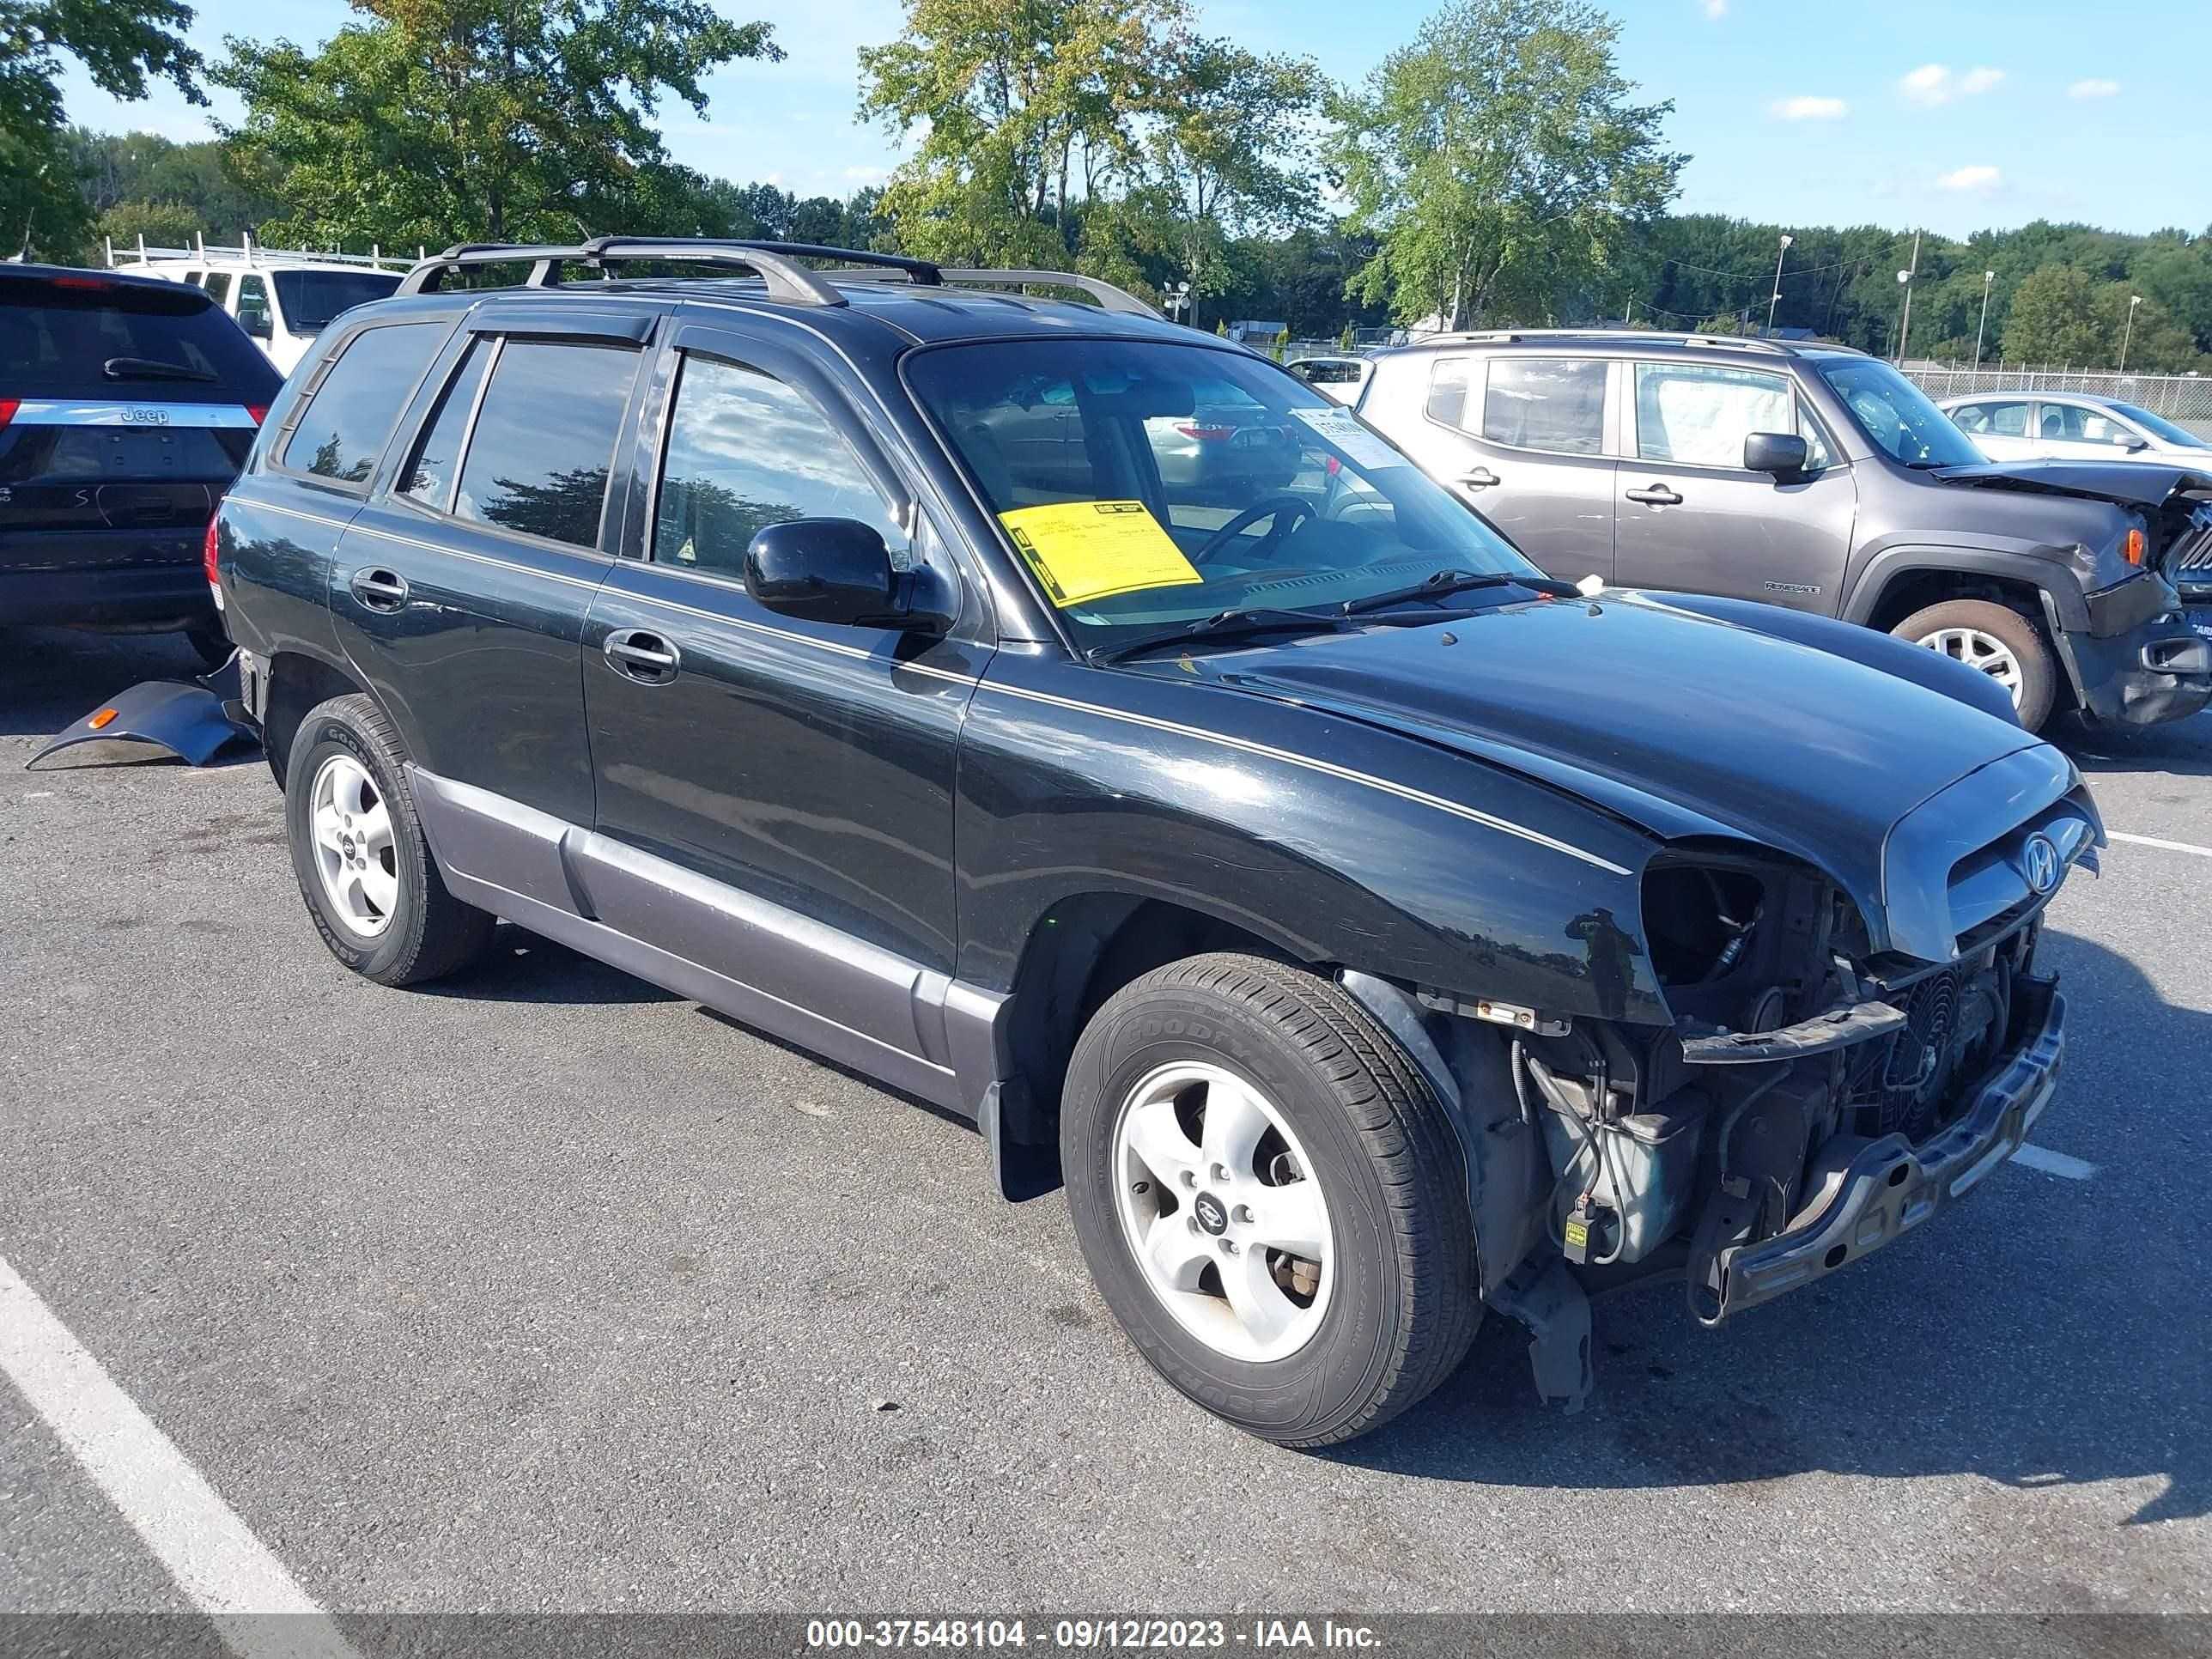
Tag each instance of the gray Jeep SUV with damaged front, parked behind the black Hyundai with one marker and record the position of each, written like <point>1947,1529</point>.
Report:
<point>1819,479</point>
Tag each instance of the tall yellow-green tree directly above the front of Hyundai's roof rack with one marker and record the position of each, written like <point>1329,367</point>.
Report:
<point>1030,109</point>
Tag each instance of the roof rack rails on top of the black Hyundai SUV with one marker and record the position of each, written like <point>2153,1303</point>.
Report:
<point>773,262</point>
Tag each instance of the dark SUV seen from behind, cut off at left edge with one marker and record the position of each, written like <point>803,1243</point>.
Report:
<point>127,406</point>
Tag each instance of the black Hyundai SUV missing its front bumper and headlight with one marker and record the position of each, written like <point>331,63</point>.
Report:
<point>1364,926</point>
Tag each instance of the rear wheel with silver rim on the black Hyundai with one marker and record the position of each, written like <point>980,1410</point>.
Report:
<point>359,855</point>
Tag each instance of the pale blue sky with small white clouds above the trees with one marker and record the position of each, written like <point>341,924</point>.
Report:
<point>1945,114</point>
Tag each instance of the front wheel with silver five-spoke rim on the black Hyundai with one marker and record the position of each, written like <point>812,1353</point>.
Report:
<point>1269,1198</point>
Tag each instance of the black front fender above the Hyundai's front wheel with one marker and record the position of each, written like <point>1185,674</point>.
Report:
<point>1335,842</point>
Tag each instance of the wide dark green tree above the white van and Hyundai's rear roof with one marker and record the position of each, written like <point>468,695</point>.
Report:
<point>452,121</point>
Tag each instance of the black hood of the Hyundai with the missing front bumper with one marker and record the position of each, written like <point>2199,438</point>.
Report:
<point>1676,722</point>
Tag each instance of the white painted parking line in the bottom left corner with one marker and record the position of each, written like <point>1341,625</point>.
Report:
<point>167,1501</point>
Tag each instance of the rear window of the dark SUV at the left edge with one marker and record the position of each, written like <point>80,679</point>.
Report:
<point>96,340</point>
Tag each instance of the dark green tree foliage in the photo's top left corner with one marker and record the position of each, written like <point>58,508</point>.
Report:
<point>123,45</point>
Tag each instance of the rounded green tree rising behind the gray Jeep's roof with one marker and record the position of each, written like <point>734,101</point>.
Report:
<point>1499,163</point>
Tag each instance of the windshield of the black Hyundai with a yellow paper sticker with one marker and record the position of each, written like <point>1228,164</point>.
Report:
<point>1151,483</point>
